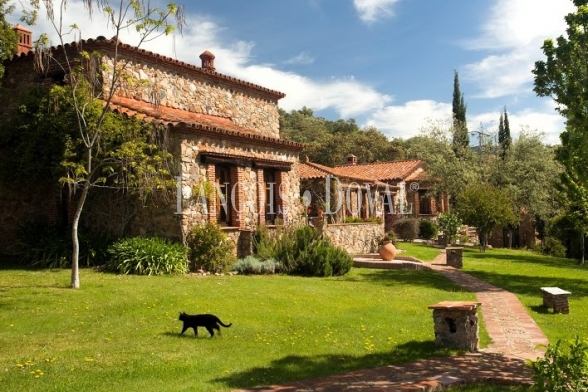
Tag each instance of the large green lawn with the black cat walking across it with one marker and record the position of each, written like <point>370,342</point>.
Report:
<point>121,332</point>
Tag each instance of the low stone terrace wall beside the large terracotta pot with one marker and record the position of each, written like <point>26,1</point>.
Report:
<point>356,238</point>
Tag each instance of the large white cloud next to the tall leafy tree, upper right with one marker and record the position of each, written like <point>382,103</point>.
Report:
<point>514,34</point>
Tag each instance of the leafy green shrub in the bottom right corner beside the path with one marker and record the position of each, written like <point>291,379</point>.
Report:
<point>562,368</point>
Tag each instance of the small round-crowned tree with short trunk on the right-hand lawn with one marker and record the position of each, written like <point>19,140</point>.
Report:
<point>485,207</point>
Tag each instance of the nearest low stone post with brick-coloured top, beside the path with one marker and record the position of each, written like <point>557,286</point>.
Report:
<point>456,324</point>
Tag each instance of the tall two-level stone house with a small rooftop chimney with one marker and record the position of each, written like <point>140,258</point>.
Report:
<point>222,131</point>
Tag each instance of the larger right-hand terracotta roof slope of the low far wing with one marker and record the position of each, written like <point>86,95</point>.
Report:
<point>383,171</point>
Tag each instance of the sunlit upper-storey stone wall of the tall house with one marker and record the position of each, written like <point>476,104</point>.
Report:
<point>154,82</point>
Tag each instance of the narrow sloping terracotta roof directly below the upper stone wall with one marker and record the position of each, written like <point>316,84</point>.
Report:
<point>224,127</point>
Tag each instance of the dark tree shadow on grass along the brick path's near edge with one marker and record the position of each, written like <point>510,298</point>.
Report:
<point>296,367</point>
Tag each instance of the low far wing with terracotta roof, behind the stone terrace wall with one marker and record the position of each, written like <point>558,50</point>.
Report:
<point>397,188</point>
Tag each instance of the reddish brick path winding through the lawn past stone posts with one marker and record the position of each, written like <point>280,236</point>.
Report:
<point>514,339</point>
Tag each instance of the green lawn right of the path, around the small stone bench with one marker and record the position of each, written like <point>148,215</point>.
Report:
<point>524,273</point>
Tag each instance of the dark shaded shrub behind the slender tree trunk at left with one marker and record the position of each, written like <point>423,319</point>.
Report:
<point>44,245</point>
